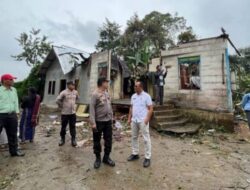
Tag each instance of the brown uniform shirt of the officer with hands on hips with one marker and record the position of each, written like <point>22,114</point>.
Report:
<point>67,101</point>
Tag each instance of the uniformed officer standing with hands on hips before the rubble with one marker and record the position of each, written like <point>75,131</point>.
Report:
<point>67,102</point>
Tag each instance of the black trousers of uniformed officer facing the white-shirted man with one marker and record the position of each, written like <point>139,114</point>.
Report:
<point>105,128</point>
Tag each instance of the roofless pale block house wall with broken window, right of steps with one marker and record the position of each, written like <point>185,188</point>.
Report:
<point>199,79</point>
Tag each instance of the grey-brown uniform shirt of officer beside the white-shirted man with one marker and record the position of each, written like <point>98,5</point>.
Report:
<point>100,108</point>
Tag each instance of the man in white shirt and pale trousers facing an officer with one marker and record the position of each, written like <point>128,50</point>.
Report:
<point>139,115</point>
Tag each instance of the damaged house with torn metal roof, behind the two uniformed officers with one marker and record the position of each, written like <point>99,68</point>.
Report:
<point>66,64</point>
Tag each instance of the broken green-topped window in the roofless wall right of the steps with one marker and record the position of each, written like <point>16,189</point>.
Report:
<point>189,72</point>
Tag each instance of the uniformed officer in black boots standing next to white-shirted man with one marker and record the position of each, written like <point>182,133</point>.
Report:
<point>101,116</point>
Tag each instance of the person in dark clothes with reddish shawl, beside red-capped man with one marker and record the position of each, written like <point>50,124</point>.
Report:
<point>30,105</point>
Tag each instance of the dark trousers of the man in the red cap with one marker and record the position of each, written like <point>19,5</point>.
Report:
<point>10,123</point>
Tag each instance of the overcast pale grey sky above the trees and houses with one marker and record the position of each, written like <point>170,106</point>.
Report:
<point>75,23</point>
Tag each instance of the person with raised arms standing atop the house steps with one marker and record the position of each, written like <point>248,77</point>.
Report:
<point>160,76</point>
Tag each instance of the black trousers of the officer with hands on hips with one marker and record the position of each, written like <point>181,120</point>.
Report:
<point>71,120</point>
